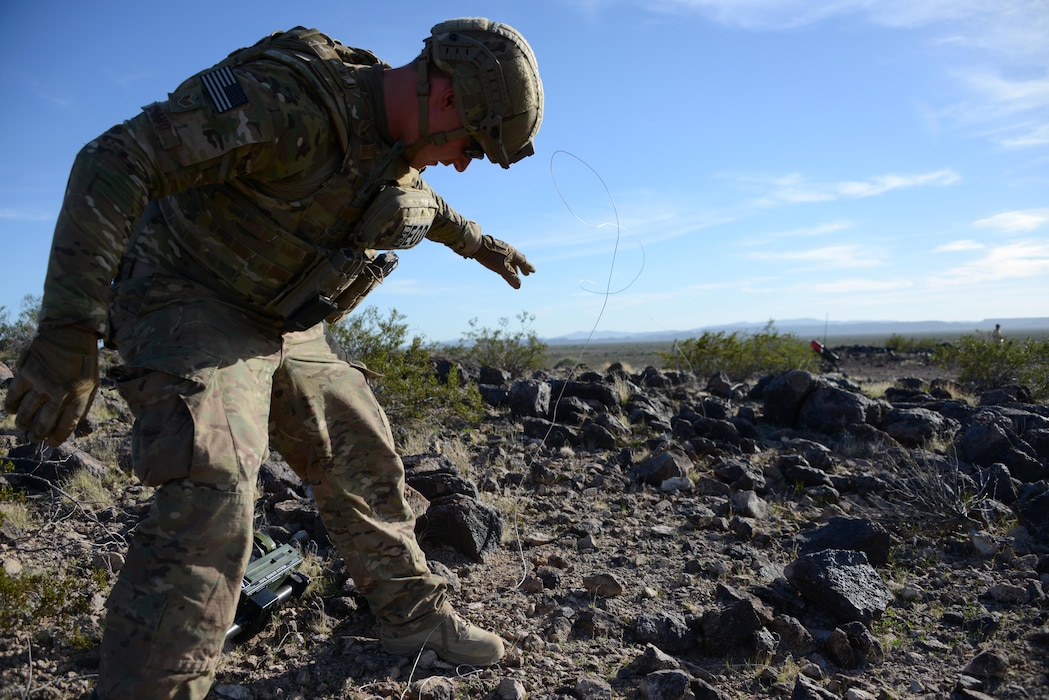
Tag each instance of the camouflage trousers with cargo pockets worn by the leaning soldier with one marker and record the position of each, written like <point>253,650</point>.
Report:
<point>212,391</point>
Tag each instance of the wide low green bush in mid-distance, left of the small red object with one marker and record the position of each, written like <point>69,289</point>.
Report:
<point>742,356</point>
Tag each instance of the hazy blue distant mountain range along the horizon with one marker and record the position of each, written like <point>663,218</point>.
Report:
<point>811,328</point>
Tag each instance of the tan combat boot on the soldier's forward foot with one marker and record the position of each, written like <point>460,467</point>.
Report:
<point>453,639</point>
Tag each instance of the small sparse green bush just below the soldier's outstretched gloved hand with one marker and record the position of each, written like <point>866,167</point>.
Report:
<point>517,352</point>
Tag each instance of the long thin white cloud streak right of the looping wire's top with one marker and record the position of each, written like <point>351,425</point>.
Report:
<point>799,189</point>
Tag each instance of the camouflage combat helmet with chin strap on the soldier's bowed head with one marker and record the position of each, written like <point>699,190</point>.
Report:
<point>497,82</point>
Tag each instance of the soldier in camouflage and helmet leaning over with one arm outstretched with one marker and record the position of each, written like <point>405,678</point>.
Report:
<point>208,240</point>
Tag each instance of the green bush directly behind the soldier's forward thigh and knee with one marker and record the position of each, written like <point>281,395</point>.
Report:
<point>409,390</point>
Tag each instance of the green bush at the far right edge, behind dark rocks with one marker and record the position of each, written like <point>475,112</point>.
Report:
<point>984,364</point>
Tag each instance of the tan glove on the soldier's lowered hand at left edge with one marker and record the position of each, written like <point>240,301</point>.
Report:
<point>57,378</point>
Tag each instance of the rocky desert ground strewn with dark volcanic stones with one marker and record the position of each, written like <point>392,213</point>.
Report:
<point>682,541</point>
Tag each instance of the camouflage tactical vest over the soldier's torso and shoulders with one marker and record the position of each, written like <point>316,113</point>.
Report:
<point>260,240</point>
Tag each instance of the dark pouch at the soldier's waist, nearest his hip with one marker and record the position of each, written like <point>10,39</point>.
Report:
<point>311,300</point>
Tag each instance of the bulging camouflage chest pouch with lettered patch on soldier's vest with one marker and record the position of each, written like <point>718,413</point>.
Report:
<point>397,219</point>
